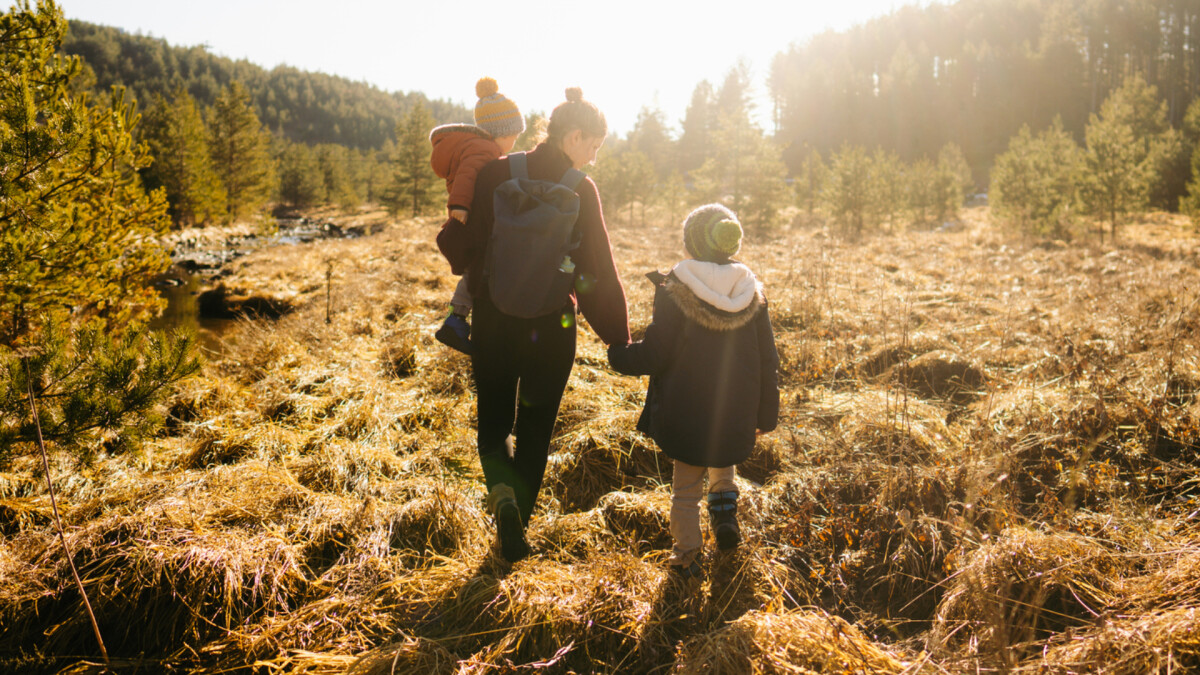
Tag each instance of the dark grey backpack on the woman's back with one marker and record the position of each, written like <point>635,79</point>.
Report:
<point>526,266</point>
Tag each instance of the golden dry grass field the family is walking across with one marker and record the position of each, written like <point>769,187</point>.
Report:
<point>987,463</point>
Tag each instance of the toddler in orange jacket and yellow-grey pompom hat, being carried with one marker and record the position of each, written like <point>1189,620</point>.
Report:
<point>460,151</point>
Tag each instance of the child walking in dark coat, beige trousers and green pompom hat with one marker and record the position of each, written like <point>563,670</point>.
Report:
<point>715,385</point>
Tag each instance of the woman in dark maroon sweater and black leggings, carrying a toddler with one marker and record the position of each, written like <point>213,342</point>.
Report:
<point>521,366</point>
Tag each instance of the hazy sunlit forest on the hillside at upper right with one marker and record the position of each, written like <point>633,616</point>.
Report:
<point>974,73</point>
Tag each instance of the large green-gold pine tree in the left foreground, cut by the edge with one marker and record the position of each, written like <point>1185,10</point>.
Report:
<point>79,246</point>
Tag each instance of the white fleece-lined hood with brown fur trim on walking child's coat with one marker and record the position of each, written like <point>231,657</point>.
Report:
<point>719,297</point>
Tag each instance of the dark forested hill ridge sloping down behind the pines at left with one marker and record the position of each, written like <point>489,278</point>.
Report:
<point>304,107</point>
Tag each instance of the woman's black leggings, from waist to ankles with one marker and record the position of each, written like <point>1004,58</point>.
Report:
<point>521,368</point>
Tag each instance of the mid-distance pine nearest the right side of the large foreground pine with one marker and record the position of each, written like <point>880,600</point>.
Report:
<point>183,164</point>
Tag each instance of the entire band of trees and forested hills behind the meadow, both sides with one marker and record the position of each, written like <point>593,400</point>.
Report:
<point>1071,114</point>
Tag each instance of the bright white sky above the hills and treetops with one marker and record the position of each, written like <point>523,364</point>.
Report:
<point>625,53</point>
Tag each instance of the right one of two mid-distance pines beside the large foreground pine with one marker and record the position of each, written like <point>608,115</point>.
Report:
<point>242,153</point>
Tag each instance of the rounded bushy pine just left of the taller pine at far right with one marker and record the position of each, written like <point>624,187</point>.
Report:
<point>1035,183</point>
